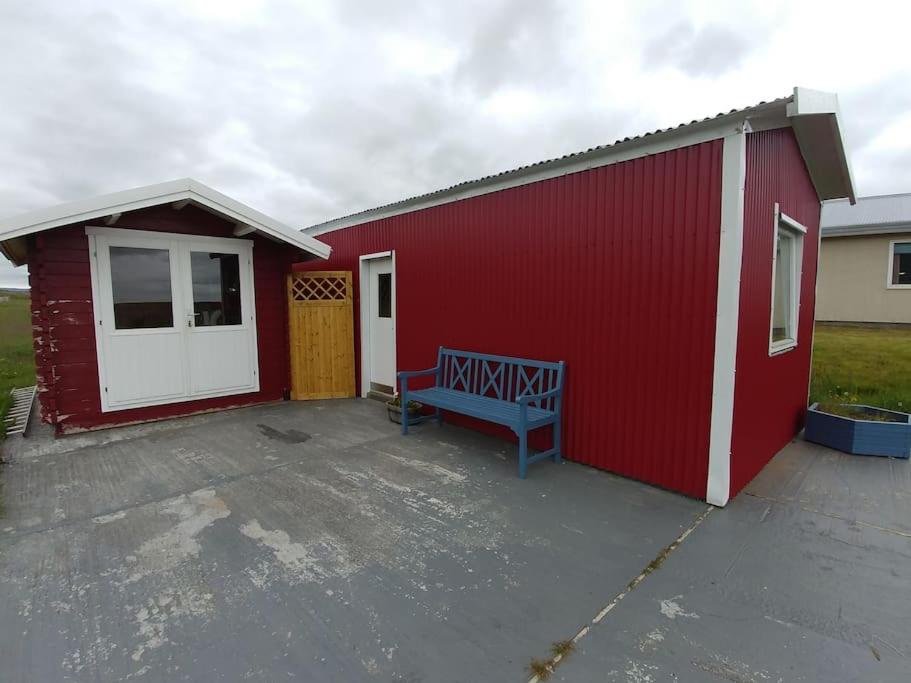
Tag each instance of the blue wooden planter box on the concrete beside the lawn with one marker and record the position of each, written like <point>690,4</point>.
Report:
<point>858,436</point>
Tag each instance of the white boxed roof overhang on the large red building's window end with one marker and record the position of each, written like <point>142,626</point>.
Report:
<point>816,120</point>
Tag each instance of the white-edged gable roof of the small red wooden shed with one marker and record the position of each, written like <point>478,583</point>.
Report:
<point>187,190</point>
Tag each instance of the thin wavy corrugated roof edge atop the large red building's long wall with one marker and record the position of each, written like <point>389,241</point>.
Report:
<point>566,159</point>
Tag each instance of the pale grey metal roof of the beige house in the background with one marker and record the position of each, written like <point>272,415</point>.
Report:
<point>871,215</point>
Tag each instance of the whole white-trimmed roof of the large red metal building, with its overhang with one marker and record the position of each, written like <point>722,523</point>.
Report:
<point>813,114</point>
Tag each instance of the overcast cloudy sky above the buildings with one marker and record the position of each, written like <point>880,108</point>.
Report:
<point>309,110</point>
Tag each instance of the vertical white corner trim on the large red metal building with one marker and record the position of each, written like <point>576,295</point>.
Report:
<point>730,256</point>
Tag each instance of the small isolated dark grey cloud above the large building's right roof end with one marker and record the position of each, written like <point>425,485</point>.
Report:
<point>709,50</point>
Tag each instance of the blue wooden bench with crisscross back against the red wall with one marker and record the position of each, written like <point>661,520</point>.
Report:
<point>519,393</point>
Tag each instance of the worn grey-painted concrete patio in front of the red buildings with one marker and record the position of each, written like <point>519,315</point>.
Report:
<point>309,541</point>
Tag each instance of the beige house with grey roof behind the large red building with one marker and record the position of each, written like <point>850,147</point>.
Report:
<point>865,261</point>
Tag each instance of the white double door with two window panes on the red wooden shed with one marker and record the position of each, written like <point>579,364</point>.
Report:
<point>174,317</point>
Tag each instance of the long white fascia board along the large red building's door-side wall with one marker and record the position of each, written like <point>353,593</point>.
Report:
<point>771,115</point>
